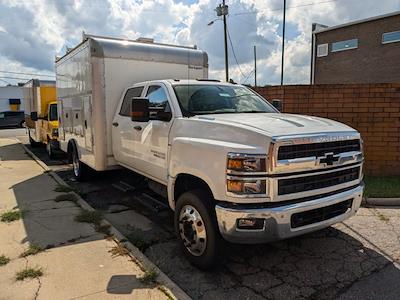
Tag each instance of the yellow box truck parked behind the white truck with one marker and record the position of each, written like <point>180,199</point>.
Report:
<point>41,114</point>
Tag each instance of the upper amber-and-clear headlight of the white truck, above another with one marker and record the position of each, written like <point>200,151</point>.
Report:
<point>246,163</point>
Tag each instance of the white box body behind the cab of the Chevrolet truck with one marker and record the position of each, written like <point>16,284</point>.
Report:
<point>92,77</point>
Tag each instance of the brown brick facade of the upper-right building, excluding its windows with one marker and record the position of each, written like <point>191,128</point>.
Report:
<point>371,62</point>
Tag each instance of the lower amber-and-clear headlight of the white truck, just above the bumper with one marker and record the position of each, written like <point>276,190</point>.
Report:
<point>241,186</point>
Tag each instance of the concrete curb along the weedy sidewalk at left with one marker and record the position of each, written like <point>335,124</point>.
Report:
<point>174,291</point>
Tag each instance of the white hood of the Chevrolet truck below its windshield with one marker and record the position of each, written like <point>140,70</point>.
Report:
<point>277,124</point>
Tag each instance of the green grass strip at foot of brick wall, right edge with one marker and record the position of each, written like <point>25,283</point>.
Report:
<point>382,187</point>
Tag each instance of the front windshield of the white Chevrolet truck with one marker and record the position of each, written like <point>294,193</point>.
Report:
<point>219,99</point>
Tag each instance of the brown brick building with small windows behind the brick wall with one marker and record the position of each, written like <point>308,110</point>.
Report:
<point>365,51</point>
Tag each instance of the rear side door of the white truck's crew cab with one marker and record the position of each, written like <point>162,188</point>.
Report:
<point>123,134</point>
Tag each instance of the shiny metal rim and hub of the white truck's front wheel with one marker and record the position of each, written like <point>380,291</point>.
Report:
<point>192,230</point>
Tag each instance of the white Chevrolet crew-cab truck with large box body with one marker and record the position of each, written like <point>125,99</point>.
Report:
<point>233,166</point>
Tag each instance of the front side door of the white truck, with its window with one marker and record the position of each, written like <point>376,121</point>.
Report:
<point>151,138</point>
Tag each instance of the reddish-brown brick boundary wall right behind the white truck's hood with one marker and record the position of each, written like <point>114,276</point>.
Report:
<point>373,109</point>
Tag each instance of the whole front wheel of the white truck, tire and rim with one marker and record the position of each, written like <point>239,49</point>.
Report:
<point>195,221</point>
